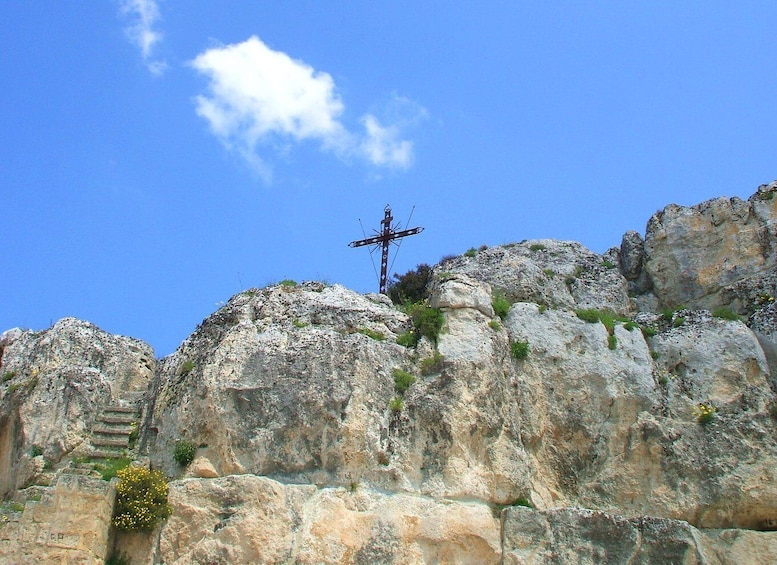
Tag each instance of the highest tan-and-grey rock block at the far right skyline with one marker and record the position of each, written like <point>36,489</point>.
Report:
<point>694,252</point>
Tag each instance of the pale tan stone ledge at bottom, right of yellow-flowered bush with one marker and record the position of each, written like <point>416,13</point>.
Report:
<point>249,519</point>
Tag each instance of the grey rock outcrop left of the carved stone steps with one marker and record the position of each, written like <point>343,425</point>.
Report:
<point>55,382</point>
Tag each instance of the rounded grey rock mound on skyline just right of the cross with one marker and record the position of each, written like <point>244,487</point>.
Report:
<point>559,274</point>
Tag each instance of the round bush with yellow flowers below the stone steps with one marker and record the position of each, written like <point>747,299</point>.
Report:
<point>141,499</point>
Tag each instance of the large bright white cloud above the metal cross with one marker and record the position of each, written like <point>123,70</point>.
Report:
<point>259,97</point>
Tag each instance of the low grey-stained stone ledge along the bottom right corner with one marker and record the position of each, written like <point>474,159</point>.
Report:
<point>573,535</point>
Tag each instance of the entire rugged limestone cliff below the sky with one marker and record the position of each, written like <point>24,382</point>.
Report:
<point>621,411</point>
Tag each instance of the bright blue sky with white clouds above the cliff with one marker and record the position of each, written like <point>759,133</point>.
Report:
<point>159,157</point>
